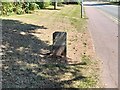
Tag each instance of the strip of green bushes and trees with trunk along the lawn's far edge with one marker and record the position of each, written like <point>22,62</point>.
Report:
<point>25,6</point>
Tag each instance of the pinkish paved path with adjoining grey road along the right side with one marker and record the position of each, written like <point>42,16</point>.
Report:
<point>104,32</point>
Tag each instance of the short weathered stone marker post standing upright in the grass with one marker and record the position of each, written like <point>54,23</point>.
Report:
<point>59,43</point>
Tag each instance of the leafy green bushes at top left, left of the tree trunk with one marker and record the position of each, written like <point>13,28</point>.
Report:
<point>21,7</point>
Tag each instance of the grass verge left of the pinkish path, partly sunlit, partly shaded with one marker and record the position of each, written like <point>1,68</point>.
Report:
<point>25,71</point>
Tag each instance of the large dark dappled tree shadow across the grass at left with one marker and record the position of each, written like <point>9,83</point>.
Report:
<point>21,59</point>
